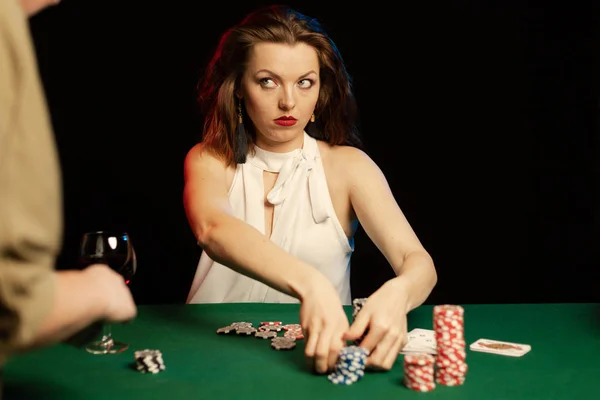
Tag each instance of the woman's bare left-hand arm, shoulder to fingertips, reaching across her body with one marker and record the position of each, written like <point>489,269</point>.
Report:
<point>239,246</point>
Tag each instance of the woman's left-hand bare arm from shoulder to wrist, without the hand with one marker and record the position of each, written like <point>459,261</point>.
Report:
<point>229,240</point>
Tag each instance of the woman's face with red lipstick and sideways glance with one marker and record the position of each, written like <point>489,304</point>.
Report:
<point>280,88</point>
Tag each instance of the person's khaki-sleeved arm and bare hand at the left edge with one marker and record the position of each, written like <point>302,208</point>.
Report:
<point>38,305</point>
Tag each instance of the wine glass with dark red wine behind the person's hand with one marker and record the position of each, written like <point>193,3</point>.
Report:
<point>115,250</point>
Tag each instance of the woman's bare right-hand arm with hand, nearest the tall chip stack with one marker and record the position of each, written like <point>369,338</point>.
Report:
<point>383,317</point>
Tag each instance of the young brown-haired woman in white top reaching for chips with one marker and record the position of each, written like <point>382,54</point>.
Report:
<point>276,188</point>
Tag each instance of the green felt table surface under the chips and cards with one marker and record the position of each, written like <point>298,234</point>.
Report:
<point>563,363</point>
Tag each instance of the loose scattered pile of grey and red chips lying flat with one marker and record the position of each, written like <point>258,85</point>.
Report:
<point>267,330</point>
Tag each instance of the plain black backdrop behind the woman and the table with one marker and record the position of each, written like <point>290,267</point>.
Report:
<point>492,111</point>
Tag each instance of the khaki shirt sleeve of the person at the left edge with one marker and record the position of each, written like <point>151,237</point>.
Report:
<point>30,202</point>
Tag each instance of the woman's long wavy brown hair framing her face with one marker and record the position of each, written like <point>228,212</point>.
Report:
<point>336,111</point>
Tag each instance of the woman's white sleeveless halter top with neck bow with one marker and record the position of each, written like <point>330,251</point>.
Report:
<point>304,224</point>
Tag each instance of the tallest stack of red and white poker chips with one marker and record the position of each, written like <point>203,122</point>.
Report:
<point>451,365</point>
